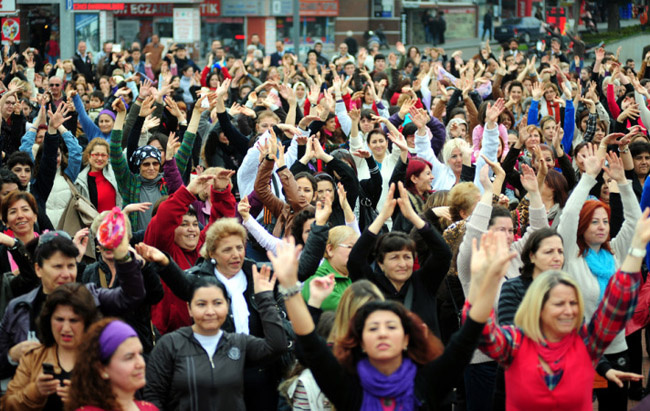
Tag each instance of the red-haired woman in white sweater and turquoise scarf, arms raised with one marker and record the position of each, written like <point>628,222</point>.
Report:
<point>592,258</point>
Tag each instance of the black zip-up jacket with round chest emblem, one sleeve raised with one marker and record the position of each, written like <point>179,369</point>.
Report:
<point>181,376</point>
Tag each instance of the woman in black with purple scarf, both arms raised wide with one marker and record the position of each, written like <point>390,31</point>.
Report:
<point>388,357</point>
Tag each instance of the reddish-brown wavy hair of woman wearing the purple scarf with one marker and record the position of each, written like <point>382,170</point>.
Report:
<point>423,345</point>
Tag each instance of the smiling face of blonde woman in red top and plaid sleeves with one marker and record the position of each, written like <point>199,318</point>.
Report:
<point>560,312</point>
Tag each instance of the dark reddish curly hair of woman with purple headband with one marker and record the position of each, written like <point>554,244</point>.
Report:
<point>86,385</point>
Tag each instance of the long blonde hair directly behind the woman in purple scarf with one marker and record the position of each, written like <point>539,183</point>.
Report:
<point>357,294</point>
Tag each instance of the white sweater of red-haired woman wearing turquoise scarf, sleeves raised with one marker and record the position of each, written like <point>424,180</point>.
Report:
<point>576,265</point>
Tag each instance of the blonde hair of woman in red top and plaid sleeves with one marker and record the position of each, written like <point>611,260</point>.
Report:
<point>528,316</point>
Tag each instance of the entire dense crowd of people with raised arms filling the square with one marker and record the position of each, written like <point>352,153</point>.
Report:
<point>416,230</point>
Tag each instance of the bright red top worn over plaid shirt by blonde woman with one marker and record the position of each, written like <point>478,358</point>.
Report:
<point>528,391</point>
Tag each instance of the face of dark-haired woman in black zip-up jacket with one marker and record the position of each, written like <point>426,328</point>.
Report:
<point>209,310</point>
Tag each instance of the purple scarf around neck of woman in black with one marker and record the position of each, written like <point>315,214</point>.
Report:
<point>399,386</point>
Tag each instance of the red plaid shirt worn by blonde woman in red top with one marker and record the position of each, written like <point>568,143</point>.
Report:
<point>502,342</point>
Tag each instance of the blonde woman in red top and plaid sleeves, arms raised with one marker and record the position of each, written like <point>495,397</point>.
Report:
<point>551,340</point>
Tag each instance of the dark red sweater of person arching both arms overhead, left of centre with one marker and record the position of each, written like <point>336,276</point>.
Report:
<point>171,312</point>
